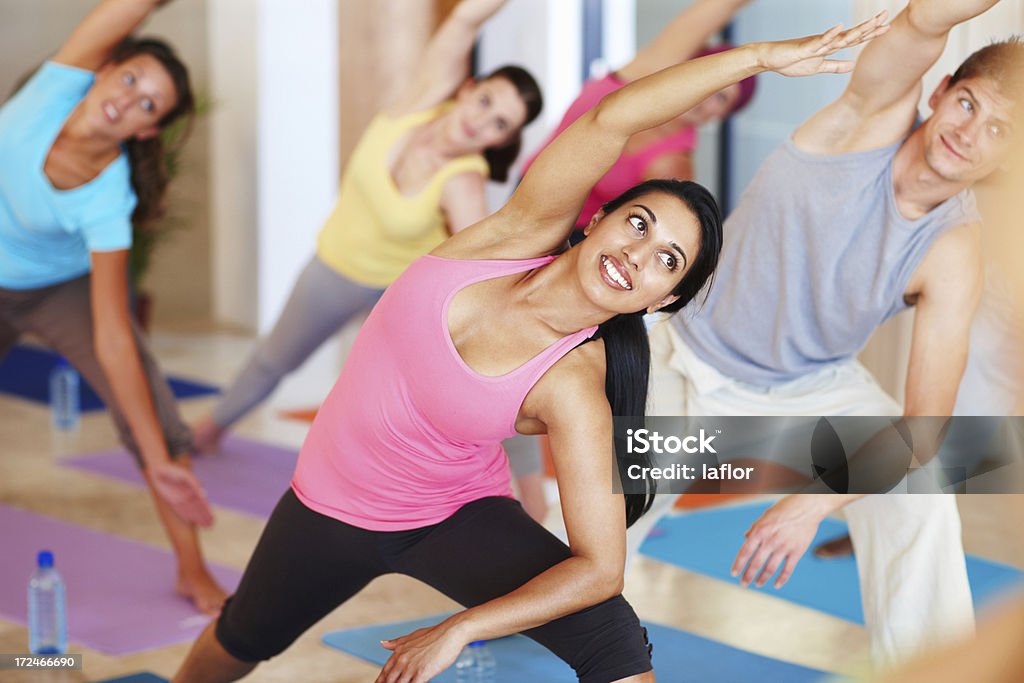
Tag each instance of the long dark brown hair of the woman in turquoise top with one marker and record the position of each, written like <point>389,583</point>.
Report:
<point>150,173</point>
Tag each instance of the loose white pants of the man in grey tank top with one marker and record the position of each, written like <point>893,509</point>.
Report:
<point>909,547</point>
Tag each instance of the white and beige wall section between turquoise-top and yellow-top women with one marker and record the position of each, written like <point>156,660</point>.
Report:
<point>275,148</point>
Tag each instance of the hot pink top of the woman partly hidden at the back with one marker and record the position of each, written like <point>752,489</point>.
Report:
<point>631,169</point>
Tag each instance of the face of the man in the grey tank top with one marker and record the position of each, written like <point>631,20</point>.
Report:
<point>969,135</point>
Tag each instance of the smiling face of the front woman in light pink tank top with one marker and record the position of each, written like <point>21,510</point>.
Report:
<point>634,258</point>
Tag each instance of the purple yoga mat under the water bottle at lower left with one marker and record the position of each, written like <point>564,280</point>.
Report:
<point>120,593</point>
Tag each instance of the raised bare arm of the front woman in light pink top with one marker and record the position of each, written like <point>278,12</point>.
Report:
<point>549,199</point>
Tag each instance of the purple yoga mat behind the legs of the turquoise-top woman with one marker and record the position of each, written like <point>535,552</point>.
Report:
<point>245,476</point>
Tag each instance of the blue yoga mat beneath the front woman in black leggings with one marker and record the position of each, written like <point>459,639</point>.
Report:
<point>679,657</point>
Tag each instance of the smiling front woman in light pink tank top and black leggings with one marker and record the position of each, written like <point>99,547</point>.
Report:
<point>477,340</point>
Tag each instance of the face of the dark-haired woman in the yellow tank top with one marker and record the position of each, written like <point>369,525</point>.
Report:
<point>488,114</point>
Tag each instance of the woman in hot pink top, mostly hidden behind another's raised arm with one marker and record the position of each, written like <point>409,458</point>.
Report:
<point>664,152</point>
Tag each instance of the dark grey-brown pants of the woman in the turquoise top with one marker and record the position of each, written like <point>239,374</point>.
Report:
<point>62,317</point>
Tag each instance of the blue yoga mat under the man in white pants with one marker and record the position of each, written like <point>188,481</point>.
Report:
<point>707,542</point>
